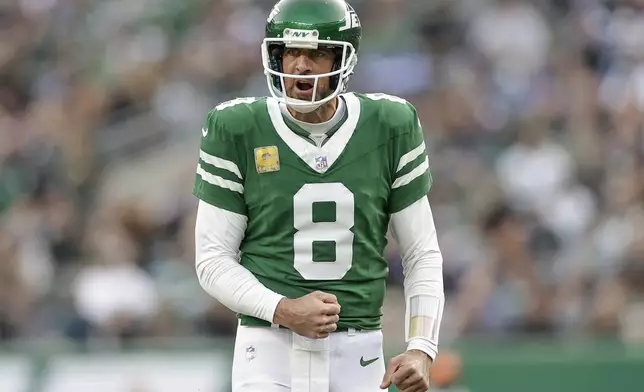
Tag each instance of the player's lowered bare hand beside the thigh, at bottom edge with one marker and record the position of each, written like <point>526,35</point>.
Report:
<point>409,372</point>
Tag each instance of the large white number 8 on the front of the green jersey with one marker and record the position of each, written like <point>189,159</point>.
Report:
<point>309,231</point>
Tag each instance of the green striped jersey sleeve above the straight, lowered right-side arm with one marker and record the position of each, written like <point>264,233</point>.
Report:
<point>411,175</point>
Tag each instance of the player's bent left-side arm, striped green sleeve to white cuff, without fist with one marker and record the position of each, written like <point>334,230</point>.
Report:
<point>221,224</point>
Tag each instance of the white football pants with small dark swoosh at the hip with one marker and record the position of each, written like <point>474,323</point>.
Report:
<point>268,359</point>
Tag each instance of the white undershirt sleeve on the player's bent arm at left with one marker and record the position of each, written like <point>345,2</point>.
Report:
<point>218,234</point>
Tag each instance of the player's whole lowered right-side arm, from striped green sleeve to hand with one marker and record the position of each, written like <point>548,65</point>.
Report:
<point>412,226</point>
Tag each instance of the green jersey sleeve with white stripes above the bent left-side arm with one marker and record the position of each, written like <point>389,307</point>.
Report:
<point>219,180</point>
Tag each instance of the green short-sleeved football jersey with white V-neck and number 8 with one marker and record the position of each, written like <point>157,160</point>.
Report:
<point>317,213</point>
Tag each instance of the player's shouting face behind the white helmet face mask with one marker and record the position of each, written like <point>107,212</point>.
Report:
<point>297,61</point>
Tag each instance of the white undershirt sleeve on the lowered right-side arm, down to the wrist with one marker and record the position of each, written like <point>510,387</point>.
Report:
<point>414,231</point>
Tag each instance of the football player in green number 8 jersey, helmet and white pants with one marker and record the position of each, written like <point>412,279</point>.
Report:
<point>296,192</point>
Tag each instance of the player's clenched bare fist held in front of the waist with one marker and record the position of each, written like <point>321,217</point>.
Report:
<point>314,315</point>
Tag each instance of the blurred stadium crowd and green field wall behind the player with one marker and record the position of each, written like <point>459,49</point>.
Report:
<point>533,113</point>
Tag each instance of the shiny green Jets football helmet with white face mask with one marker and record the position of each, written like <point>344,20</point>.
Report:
<point>311,24</point>
